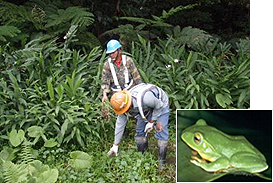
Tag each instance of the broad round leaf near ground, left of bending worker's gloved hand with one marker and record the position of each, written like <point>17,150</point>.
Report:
<point>80,160</point>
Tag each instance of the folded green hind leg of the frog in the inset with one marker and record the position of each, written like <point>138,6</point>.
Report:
<point>249,162</point>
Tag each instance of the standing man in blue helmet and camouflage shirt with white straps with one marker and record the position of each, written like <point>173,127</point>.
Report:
<point>119,71</point>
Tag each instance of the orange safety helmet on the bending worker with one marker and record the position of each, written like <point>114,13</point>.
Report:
<point>121,101</point>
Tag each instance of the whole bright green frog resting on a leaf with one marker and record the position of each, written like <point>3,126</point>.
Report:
<point>220,152</point>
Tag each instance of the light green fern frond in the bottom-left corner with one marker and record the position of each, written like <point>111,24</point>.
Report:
<point>14,172</point>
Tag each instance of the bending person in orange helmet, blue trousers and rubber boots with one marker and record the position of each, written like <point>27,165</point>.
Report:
<point>149,104</point>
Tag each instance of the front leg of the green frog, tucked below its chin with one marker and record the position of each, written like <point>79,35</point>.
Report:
<point>218,165</point>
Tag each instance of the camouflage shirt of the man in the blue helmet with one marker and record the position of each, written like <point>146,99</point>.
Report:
<point>107,81</point>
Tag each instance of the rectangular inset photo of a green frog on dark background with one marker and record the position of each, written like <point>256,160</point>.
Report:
<point>224,145</point>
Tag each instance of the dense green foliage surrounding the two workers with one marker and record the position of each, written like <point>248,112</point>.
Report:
<point>51,57</point>
